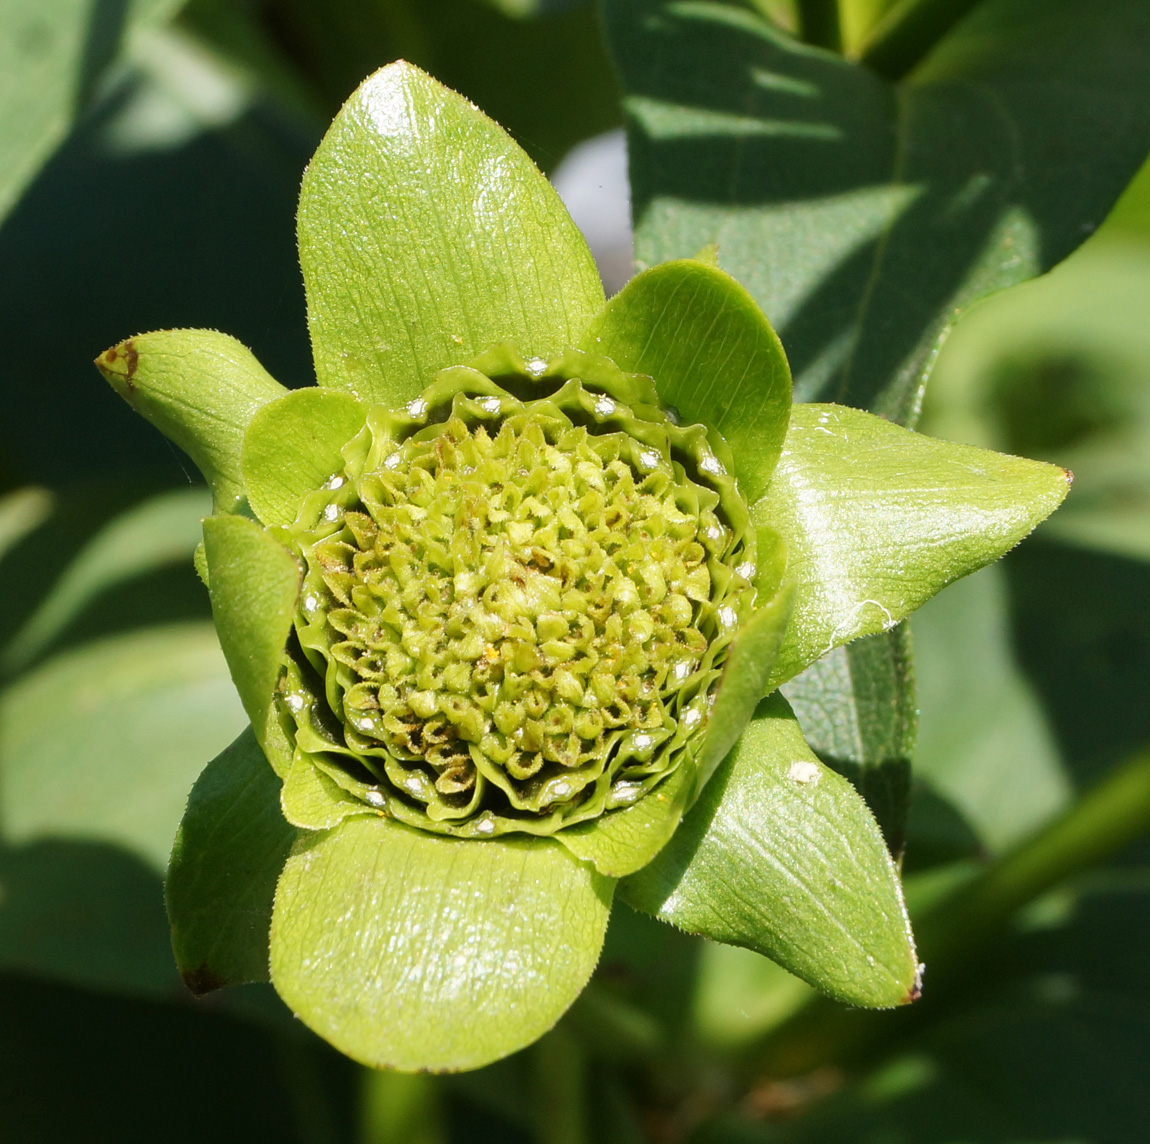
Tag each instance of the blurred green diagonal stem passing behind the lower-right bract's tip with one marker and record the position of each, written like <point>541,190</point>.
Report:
<point>954,933</point>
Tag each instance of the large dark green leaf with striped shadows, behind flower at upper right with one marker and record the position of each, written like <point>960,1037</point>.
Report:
<point>864,217</point>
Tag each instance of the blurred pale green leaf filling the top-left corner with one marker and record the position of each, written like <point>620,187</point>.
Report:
<point>52,57</point>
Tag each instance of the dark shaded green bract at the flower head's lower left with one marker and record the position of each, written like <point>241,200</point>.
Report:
<point>229,853</point>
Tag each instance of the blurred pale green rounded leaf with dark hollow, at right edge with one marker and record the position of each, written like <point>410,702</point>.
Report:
<point>1057,371</point>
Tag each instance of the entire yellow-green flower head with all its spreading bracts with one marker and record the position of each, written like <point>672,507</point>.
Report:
<point>508,598</point>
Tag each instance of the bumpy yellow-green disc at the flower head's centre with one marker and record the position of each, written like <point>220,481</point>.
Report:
<point>509,608</point>
